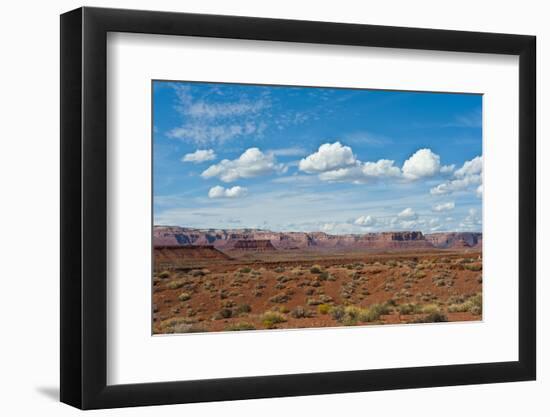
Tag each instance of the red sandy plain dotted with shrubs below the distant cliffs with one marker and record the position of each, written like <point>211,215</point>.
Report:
<point>204,289</point>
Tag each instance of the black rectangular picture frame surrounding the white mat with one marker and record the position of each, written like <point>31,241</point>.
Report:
<point>84,207</point>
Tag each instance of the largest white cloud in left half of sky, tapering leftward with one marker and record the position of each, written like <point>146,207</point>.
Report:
<point>252,163</point>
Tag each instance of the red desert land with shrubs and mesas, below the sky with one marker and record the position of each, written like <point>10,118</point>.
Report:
<point>208,280</point>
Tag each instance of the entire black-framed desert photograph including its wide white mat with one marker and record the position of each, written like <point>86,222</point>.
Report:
<point>258,208</point>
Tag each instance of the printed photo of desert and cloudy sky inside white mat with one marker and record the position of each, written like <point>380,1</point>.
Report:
<point>286,207</point>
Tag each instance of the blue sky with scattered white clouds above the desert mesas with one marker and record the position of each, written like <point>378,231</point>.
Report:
<point>315,159</point>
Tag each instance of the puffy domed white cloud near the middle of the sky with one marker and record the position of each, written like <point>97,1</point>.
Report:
<point>330,156</point>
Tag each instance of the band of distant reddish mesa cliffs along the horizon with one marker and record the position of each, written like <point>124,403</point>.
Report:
<point>262,240</point>
